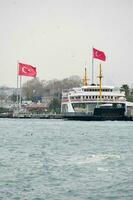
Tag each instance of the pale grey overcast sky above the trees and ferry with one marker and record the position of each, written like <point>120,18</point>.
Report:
<point>57,36</point>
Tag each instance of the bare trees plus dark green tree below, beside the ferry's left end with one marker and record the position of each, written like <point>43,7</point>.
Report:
<point>49,91</point>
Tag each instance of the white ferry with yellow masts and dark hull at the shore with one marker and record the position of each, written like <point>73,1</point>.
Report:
<point>93,102</point>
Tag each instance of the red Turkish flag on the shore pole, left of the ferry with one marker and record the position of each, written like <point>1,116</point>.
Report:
<point>27,70</point>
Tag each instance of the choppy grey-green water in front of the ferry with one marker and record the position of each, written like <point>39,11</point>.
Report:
<point>65,160</point>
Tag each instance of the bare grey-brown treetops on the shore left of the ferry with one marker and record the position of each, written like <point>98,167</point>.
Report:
<point>35,87</point>
